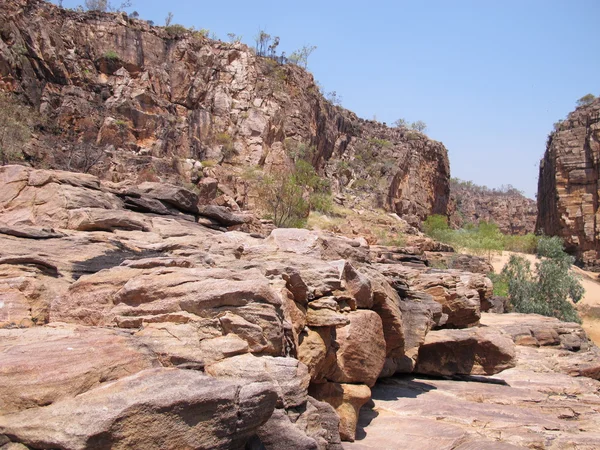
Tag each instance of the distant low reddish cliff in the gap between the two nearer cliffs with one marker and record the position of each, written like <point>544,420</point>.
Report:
<point>509,209</point>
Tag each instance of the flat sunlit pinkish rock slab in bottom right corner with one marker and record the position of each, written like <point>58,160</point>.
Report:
<point>516,409</point>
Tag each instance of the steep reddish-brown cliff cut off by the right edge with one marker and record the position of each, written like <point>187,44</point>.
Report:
<point>568,184</point>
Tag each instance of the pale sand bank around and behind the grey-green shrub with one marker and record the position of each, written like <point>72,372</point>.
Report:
<point>591,298</point>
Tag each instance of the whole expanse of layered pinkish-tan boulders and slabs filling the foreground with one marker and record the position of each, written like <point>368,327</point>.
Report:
<point>131,317</point>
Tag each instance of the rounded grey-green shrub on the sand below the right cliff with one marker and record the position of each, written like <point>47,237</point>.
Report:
<point>547,289</point>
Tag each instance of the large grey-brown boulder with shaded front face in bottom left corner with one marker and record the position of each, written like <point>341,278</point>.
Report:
<point>185,408</point>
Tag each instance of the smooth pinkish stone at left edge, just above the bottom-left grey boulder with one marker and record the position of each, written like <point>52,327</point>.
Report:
<point>42,365</point>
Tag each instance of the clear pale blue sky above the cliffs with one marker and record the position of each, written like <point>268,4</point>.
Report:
<point>488,77</point>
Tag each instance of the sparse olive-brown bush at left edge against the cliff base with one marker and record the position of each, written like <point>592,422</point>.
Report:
<point>15,128</point>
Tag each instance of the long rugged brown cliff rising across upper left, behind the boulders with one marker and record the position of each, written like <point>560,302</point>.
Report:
<point>155,104</point>
